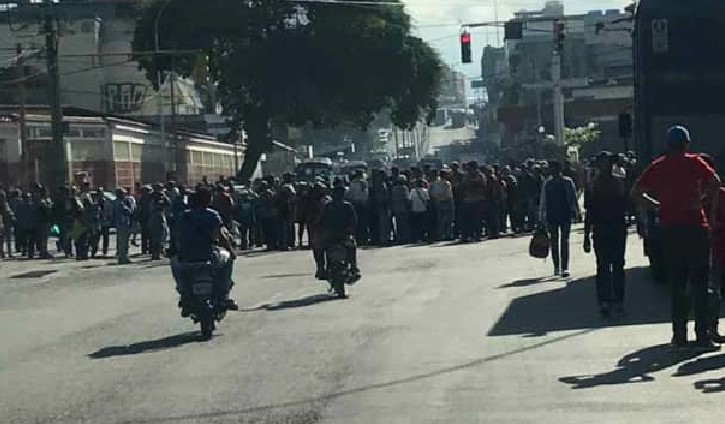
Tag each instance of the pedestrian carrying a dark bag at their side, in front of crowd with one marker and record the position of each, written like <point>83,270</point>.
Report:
<point>558,208</point>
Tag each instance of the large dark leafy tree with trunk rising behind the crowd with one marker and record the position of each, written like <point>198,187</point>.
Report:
<point>327,64</point>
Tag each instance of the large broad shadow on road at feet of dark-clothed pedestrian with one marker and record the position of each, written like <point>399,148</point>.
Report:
<point>574,307</point>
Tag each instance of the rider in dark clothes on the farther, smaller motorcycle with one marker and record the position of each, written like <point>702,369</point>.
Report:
<point>339,223</point>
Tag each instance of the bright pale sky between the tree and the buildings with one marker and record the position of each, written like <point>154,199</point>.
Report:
<point>439,21</point>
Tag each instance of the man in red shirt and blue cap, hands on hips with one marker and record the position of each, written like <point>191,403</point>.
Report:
<point>674,184</point>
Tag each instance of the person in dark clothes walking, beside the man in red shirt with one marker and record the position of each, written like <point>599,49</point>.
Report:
<point>606,202</point>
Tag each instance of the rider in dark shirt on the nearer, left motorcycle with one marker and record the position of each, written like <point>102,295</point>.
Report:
<point>200,233</point>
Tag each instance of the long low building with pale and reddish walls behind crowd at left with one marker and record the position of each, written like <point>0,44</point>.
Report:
<point>110,152</point>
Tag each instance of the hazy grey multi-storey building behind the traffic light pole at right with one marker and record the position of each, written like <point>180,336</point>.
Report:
<point>596,68</point>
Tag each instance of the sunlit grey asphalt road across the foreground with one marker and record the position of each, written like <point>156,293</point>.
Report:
<point>433,334</point>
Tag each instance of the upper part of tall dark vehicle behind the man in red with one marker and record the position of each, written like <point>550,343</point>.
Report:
<point>679,75</point>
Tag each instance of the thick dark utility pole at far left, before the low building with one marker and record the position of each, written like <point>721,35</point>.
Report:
<point>60,173</point>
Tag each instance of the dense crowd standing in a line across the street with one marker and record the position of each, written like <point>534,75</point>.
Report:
<point>466,202</point>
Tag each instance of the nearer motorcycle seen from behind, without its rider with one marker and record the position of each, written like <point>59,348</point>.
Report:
<point>207,304</point>
